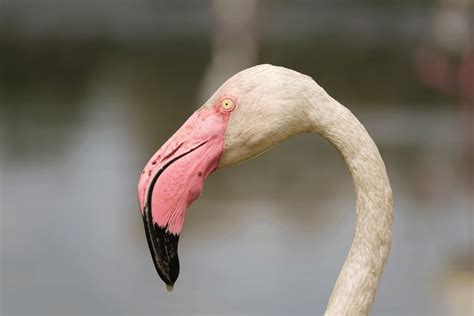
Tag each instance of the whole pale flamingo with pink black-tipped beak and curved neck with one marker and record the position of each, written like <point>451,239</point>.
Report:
<point>251,112</point>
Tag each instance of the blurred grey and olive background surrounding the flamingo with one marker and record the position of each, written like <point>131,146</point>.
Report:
<point>90,89</point>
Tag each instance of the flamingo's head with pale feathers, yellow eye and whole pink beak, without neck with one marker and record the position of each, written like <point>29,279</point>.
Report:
<point>247,115</point>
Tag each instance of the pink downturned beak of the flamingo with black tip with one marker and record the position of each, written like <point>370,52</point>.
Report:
<point>173,179</point>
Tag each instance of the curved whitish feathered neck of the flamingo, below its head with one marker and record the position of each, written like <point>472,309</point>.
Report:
<point>356,285</point>
